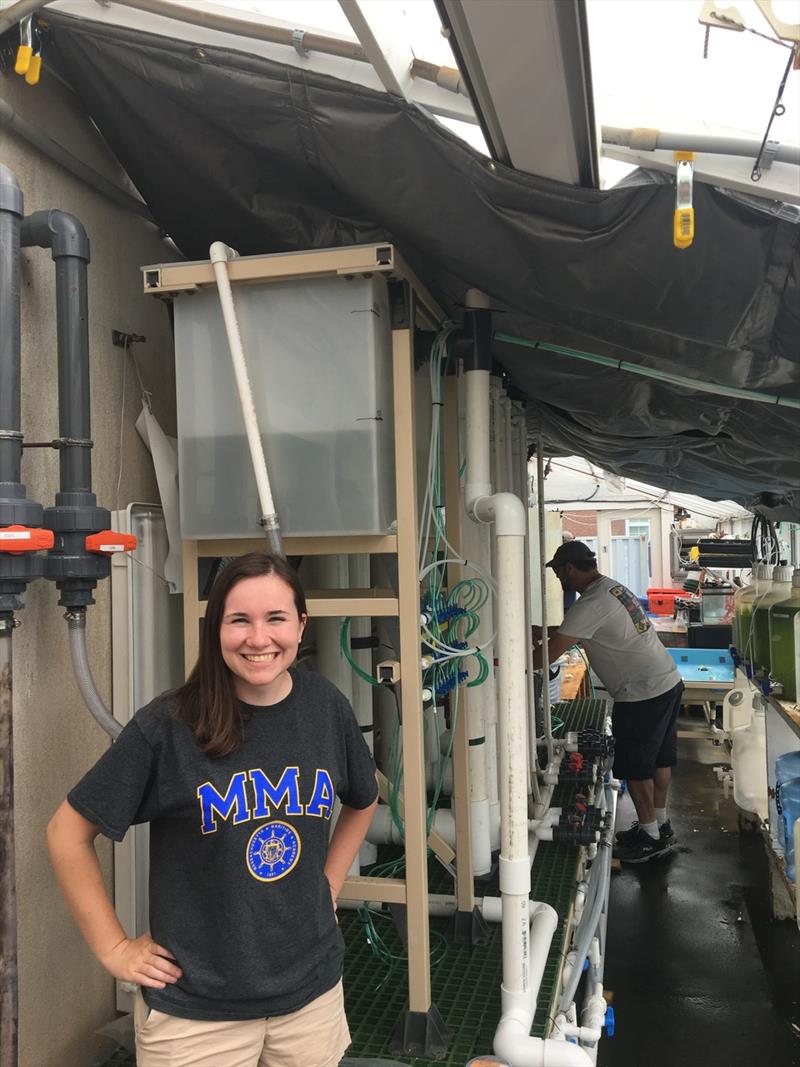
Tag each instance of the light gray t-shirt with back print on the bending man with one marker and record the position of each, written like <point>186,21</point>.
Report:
<point>620,642</point>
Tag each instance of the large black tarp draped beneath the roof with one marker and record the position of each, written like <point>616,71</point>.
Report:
<point>267,157</point>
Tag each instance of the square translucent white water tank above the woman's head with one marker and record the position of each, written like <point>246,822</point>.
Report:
<point>319,357</point>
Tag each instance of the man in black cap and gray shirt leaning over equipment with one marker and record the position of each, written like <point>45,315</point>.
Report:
<point>642,678</point>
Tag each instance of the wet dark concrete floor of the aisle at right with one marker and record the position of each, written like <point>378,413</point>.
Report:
<point>700,972</point>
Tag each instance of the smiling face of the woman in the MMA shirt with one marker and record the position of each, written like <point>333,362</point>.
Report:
<point>260,636</point>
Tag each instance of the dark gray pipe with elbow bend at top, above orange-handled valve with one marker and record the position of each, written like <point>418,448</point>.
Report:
<point>66,236</point>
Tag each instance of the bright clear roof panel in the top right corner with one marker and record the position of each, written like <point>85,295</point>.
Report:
<point>649,70</point>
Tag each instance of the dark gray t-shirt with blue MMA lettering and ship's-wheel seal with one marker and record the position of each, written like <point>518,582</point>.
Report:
<point>238,847</point>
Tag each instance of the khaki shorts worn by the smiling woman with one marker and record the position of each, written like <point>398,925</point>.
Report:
<point>315,1037</point>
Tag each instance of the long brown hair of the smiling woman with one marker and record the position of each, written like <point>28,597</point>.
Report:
<point>207,703</point>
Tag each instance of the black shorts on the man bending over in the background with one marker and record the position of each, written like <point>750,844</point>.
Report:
<point>646,735</point>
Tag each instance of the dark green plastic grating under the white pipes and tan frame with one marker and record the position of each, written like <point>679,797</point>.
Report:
<point>466,988</point>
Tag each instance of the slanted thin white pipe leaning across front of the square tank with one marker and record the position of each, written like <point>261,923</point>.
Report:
<point>219,254</point>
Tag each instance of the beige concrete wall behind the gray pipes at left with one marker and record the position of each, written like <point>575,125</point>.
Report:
<point>65,994</point>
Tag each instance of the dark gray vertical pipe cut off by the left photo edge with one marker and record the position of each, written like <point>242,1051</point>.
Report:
<point>11,217</point>
